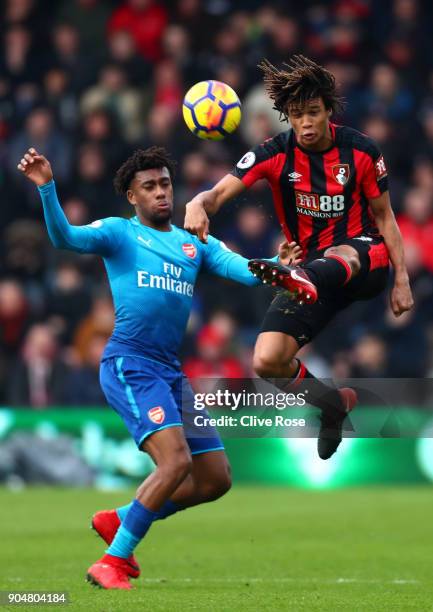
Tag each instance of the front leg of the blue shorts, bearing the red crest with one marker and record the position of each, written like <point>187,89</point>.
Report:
<point>140,392</point>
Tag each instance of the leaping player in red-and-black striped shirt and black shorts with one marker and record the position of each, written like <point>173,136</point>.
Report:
<point>330,192</point>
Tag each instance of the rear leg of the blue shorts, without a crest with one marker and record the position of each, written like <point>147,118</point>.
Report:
<point>201,436</point>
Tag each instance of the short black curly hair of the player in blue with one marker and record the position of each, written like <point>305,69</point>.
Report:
<point>142,159</point>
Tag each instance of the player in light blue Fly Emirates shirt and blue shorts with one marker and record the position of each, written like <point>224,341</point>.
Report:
<point>152,267</point>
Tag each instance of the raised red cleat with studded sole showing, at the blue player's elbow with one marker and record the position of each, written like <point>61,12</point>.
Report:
<point>291,278</point>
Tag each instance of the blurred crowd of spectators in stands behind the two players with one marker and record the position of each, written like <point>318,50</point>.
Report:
<point>87,81</point>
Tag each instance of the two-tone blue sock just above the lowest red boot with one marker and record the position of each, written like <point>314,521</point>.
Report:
<point>133,529</point>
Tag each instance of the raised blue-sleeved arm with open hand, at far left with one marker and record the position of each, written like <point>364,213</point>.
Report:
<point>98,238</point>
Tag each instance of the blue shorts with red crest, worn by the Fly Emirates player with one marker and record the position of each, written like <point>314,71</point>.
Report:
<point>150,396</point>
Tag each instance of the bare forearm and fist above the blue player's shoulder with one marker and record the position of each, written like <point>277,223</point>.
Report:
<point>208,203</point>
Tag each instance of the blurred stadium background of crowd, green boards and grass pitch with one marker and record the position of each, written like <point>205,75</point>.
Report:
<point>87,81</point>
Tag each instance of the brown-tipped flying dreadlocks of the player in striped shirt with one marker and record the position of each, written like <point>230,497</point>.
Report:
<point>297,82</point>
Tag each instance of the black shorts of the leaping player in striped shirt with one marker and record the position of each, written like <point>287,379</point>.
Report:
<point>304,322</point>
